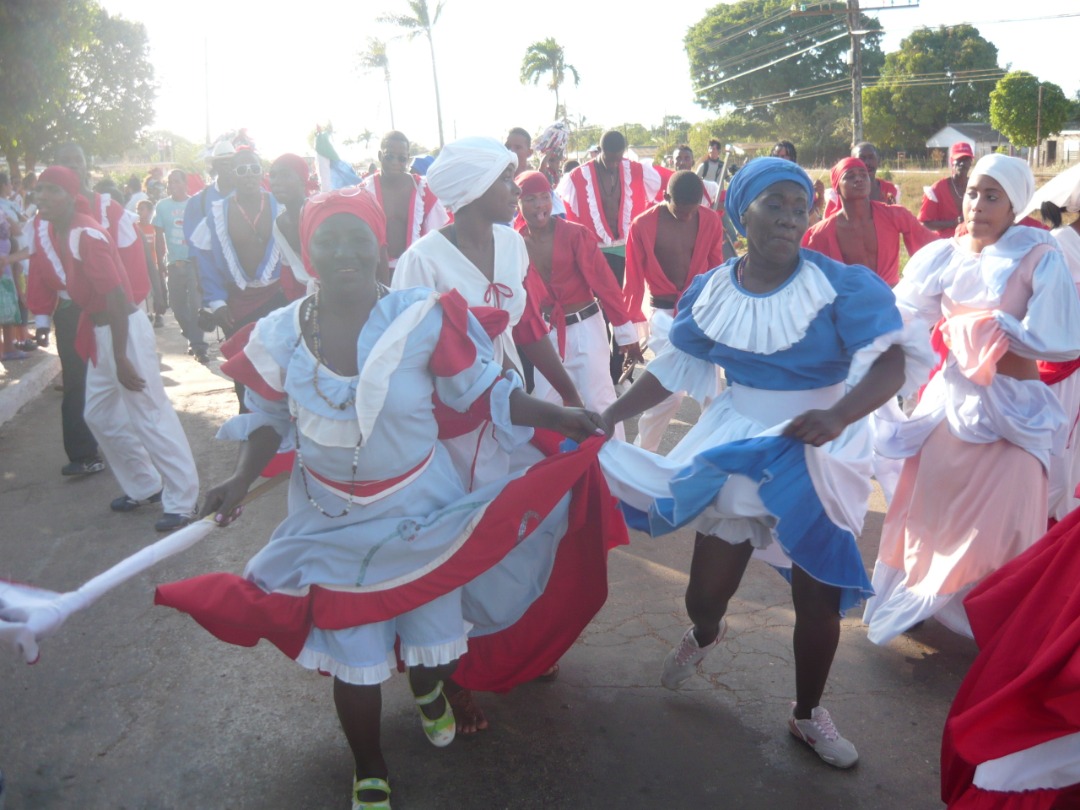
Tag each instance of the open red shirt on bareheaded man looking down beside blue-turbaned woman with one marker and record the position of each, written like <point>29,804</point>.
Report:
<point>643,267</point>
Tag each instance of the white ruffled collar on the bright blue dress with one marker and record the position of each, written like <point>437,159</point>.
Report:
<point>763,325</point>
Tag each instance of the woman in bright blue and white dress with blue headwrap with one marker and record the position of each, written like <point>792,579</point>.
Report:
<point>780,463</point>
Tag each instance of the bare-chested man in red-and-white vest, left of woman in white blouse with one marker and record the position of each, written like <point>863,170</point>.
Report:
<point>411,208</point>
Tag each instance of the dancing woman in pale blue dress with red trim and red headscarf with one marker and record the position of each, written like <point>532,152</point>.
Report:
<point>382,542</point>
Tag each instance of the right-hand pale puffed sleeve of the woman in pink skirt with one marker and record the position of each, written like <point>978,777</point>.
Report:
<point>1049,329</point>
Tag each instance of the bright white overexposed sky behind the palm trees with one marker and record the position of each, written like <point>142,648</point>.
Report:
<point>280,74</point>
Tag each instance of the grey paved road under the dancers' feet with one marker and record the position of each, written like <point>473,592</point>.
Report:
<point>136,707</point>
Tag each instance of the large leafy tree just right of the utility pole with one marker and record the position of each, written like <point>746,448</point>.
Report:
<point>938,77</point>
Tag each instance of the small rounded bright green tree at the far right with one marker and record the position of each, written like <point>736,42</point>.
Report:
<point>1018,114</point>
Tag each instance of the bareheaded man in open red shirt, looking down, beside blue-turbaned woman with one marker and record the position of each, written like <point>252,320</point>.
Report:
<point>669,246</point>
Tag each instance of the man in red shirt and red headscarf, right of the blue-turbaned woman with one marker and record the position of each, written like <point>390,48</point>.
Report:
<point>866,232</point>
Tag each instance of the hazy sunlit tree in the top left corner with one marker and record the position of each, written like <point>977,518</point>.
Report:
<point>71,72</point>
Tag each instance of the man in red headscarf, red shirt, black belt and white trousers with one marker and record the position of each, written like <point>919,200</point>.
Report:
<point>568,275</point>
